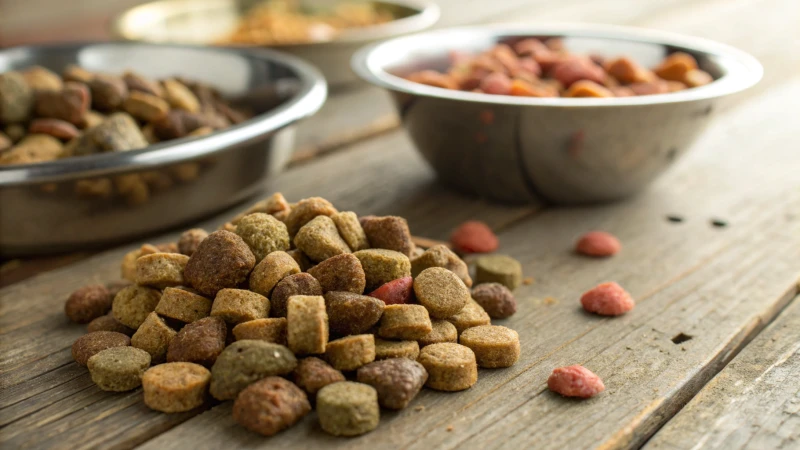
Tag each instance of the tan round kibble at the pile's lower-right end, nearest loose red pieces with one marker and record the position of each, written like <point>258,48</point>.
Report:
<point>494,346</point>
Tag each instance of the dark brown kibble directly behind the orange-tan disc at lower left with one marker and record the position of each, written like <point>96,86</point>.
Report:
<point>199,342</point>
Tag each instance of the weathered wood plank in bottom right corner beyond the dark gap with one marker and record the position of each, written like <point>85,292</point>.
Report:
<point>753,403</point>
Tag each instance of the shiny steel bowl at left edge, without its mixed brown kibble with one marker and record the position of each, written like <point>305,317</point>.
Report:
<point>46,208</point>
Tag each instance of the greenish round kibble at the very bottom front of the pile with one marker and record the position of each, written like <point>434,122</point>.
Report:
<point>348,409</point>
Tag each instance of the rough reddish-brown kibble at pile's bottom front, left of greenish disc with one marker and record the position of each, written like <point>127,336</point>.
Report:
<point>270,405</point>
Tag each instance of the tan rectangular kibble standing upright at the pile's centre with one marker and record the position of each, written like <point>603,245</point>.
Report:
<point>307,324</point>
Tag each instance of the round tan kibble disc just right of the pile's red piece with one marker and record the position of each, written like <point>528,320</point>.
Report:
<point>441,292</point>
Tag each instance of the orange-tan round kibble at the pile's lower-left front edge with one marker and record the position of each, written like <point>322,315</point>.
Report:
<point>175,387</point>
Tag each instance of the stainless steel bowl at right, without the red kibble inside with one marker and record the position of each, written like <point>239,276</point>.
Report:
<point>558,150</point>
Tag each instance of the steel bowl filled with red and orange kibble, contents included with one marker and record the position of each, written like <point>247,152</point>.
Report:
<point>563,114</point>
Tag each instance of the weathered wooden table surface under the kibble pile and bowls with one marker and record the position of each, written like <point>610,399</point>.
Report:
<point>710,357</point>
